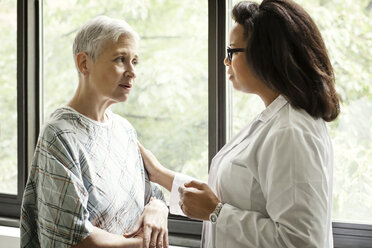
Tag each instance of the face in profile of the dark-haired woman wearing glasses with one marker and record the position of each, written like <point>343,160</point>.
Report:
<point>239,72</point>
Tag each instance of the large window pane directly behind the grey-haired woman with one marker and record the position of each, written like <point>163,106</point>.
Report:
<point>169,104</point>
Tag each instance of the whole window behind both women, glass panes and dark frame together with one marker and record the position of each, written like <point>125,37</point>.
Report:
<point>182,107</point>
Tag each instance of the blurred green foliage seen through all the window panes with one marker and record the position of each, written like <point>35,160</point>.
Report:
<point>168,105</point>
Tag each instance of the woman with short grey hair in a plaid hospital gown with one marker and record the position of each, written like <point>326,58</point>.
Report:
<point>87,185</point>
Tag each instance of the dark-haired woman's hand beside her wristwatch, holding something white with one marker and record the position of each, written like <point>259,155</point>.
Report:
<point>197,200</point>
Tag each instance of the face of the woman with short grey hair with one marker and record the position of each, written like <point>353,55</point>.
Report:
<point>113,73</point>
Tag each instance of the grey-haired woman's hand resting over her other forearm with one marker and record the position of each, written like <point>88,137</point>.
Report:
<point>154,225</point>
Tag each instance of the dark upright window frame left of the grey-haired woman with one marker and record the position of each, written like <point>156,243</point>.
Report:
<point>28,102</point>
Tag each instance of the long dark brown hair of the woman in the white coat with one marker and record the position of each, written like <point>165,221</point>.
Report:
<point>286,51</point>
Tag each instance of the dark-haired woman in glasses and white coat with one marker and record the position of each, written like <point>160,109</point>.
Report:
<point>270,185</point>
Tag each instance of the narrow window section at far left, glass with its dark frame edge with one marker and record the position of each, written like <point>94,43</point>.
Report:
<point>12,104</point>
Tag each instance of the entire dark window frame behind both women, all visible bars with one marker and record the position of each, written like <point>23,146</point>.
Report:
<point>30,100</point>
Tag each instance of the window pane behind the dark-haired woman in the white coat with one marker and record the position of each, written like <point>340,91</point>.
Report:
<point>346,27</point>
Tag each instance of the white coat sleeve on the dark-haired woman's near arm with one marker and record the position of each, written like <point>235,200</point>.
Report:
<point>292,176</point>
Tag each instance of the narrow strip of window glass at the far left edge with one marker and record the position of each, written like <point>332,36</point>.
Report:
<point>8,97</point>
